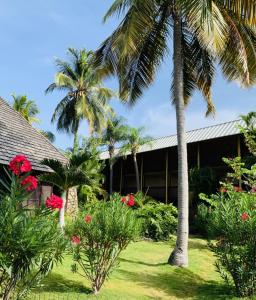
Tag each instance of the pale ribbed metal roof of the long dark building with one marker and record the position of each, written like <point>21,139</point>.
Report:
<point>197,135</point>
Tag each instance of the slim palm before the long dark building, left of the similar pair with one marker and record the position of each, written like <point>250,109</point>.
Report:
<point>114,133</point>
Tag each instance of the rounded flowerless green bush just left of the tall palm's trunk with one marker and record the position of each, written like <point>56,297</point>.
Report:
<point>159,220</point>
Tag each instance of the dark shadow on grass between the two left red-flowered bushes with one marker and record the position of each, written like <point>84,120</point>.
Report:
<point>58,283</point>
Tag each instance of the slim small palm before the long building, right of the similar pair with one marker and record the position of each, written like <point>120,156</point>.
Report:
<point>134,140</point>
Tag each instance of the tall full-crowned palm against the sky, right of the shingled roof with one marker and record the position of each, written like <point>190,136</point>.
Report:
<point>85,96</point>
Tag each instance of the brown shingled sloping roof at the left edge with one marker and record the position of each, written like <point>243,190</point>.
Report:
<point>17,136</point>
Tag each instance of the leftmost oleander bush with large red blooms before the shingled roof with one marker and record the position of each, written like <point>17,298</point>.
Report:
<point>30,241</point>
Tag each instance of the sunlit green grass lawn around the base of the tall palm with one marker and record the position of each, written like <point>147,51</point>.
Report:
<point>143,274</point>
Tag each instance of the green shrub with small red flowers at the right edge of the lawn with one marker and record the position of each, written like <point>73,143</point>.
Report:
<point>233,222</point>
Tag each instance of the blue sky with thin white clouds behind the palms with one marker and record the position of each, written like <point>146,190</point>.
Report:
<point>33,33</point>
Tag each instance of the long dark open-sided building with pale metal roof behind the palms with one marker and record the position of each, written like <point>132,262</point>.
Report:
<point>158,163</point>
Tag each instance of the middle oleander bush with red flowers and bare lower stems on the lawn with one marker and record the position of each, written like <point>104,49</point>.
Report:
<point>99,234</point>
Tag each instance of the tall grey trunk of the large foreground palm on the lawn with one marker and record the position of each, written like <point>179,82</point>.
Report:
<point>179,256</point>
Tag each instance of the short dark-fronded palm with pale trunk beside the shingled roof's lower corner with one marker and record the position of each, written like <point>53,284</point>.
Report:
<point>66,176</point>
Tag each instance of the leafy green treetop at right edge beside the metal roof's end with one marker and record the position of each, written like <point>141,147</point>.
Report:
<point>249,131</point>
